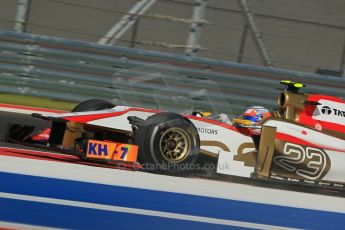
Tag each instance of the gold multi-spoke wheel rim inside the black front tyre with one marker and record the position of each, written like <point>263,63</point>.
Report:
<point>174,145</point>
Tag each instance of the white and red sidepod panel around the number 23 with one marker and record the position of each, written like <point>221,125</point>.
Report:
<point>320,147</point>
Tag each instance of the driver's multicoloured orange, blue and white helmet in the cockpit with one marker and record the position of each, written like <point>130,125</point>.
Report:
<point>252,117</point>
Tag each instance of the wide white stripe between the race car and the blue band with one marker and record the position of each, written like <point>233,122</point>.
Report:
<point>193,186</point>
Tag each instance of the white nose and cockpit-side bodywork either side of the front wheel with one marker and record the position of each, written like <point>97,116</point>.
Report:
<point>222,140</point>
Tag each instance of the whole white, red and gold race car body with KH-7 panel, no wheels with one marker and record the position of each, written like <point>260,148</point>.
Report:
<point>302,142</point>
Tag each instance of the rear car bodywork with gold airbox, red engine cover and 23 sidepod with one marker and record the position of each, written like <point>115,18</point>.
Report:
<point>305,142</point>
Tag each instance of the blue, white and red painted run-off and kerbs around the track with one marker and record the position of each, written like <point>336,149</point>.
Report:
<point>42,190</point>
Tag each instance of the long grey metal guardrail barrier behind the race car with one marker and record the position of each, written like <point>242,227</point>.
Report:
<point>74,70</point>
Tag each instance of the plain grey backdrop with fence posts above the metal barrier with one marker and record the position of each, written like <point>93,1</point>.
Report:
<point>303,35</point>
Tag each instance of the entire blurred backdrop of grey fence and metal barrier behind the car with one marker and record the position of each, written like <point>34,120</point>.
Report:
<point>219,55</point>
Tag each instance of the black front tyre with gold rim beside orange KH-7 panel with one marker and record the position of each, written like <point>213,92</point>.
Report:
<point>168,143</point>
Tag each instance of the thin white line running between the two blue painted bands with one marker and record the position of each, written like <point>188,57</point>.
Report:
<point>139,211</point>
